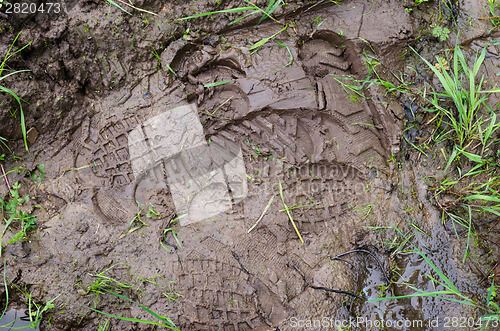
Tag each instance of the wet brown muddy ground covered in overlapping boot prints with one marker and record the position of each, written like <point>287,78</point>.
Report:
<point>341,161</point>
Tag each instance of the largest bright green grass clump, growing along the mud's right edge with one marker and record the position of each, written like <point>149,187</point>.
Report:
<point>464,121</point>
